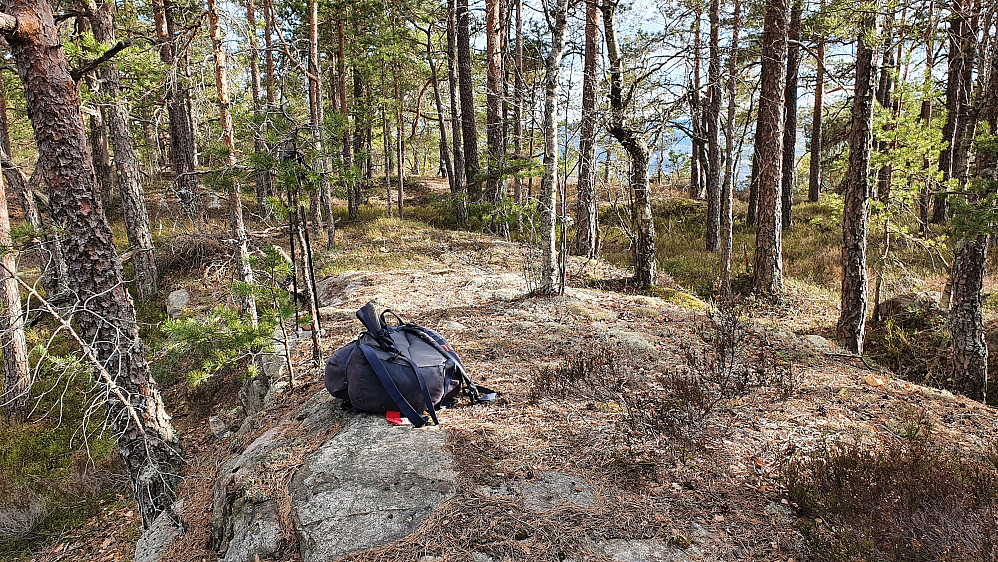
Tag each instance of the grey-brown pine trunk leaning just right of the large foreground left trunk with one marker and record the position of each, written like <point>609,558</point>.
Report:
<point>133,201</point>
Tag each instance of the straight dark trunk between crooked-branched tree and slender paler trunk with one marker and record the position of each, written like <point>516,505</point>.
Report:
<point>713,118</point>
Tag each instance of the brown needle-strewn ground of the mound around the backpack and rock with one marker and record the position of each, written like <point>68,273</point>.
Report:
<point>628,392</point>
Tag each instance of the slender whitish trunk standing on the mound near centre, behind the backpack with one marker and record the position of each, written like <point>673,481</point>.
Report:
<point>549,185</point>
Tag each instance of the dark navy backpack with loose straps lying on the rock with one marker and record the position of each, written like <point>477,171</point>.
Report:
<point>405,368</point>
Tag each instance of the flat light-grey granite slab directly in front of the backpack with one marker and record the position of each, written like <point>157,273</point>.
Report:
<point>370,485</point>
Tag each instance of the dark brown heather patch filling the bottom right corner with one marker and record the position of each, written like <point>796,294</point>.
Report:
<point>908,497</point>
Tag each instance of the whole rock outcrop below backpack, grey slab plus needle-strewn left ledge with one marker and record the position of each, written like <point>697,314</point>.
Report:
<point>331,481</point>
